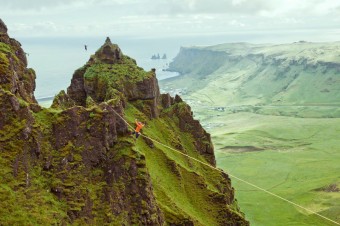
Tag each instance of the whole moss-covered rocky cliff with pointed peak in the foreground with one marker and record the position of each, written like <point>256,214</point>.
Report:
<point>77,163</point>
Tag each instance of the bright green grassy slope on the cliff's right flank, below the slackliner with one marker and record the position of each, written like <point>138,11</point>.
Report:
<point>183,187</point>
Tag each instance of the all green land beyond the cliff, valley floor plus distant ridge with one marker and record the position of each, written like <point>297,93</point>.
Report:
<point>273,113</point>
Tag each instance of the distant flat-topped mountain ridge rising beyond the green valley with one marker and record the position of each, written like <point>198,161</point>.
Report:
<point>300,73</point>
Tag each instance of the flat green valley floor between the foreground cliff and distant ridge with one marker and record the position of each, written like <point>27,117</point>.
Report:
<point>292,151</point>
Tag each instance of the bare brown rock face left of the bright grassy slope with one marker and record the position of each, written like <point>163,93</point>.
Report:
<point>96,144</point>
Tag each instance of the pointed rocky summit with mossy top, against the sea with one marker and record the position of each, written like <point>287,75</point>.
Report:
<point>129,88</point>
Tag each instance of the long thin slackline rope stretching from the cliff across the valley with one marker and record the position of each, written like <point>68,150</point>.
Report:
<point>237,178</point>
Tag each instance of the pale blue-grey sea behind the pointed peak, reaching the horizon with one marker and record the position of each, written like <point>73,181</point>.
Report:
<point>54,59</point>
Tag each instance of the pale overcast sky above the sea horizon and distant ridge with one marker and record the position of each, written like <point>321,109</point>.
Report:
<point>153,18</point>
